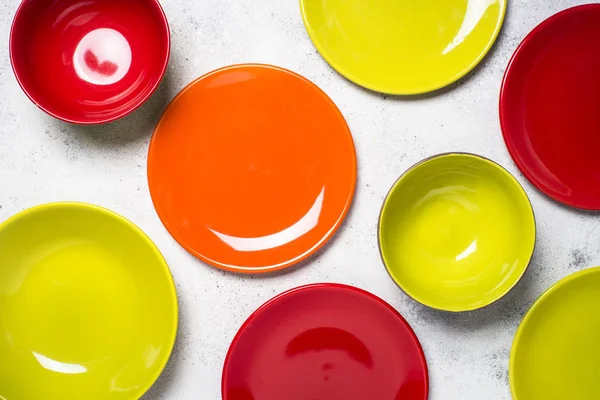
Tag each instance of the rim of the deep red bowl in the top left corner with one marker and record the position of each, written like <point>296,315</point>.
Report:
<point>12,50</point>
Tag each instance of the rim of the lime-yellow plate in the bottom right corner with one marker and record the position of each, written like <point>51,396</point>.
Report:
<point>537,304</point>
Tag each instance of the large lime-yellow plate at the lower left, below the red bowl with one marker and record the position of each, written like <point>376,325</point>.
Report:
<point>88,308</point>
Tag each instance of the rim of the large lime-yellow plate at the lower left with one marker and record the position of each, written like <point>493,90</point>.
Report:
<point>169,281</point>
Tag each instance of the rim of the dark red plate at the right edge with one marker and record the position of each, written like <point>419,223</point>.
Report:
<point>512,150</point>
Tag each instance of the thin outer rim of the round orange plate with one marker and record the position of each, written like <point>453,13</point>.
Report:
<point>320,245</point>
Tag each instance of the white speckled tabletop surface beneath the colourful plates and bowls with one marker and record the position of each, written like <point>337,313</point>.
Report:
<point>44,160</point>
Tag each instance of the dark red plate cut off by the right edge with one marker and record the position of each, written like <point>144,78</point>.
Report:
<point>549,107</point>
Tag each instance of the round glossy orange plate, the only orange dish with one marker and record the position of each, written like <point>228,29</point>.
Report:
<point>252,168</point>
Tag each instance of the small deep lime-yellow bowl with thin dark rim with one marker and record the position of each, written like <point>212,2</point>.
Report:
<point>456,232</point>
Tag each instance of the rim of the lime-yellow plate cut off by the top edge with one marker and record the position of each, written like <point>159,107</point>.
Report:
<point>430,89</point>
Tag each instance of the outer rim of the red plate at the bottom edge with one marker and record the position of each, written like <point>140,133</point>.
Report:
<point>328,285</point>
